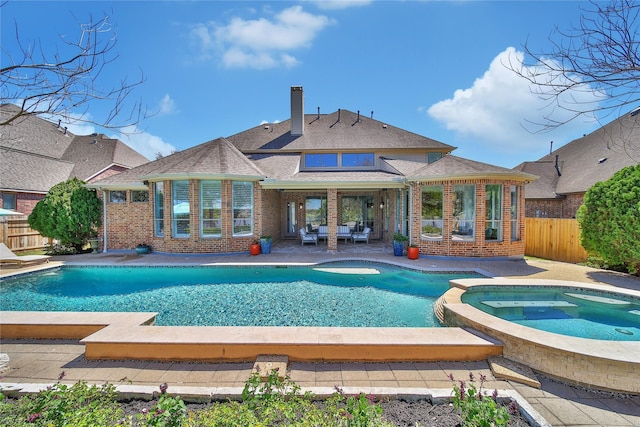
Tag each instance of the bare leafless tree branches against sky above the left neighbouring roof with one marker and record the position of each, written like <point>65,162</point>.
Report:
<point>66,83</point>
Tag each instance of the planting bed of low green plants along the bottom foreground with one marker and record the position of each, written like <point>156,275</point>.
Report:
<point>274,401</point>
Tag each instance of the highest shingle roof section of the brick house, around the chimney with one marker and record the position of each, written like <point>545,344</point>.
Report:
<point>326,132</point>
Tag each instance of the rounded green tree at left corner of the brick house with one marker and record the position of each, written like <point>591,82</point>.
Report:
<point>69,212</point>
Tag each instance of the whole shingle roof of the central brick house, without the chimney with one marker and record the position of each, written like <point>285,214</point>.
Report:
<point>270,153</point>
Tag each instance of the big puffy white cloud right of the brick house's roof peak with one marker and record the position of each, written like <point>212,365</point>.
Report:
<point>500,106</point>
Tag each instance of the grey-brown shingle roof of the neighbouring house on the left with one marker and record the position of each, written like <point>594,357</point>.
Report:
<point>37,154</point>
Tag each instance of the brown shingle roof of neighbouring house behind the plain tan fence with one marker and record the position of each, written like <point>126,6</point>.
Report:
<point>587,160</point>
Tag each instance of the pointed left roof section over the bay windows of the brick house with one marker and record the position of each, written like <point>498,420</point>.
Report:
<point>215,159</point>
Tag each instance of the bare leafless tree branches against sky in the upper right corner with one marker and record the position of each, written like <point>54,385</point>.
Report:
<point>599,55</point>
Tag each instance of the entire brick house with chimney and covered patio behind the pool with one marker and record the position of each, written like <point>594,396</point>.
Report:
<point>316,170</point>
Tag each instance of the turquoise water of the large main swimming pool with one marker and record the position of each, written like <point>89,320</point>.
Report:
<point>336,294</point>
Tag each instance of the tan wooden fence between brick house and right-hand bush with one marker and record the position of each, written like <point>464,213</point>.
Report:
<point>553,238</point>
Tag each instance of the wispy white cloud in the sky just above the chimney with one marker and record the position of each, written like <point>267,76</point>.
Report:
<point>260,43</point>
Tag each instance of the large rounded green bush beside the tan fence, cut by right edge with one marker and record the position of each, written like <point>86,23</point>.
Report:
<point>610,219</point>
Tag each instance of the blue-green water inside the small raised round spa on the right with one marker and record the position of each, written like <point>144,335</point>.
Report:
<point>567,311</point>
